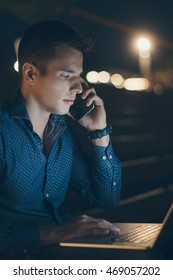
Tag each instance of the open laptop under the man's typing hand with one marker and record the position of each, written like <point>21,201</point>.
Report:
<point>136,236</point>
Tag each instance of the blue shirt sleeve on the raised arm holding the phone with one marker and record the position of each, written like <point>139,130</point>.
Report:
<point>98,178</point>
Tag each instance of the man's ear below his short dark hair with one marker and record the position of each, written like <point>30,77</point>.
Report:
<point>30,73</point>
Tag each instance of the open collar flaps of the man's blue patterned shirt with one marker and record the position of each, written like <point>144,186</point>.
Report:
<point>17,109</point>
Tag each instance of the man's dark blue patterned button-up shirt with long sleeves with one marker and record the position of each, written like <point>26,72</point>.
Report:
<point>34,182</point>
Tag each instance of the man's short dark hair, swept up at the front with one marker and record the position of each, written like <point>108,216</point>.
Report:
<point>41,40</point>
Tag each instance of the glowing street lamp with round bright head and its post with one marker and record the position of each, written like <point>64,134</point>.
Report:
<point>144,45</point>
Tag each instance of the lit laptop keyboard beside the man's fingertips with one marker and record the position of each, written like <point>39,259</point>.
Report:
<point>141,233</point>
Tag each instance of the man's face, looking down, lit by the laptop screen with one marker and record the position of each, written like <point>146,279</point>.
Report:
<point>56,91</point>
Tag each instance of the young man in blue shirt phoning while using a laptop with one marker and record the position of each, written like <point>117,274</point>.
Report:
<point>40,155</point>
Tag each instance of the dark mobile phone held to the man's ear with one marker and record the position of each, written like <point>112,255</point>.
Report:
<point>79,109</point>
